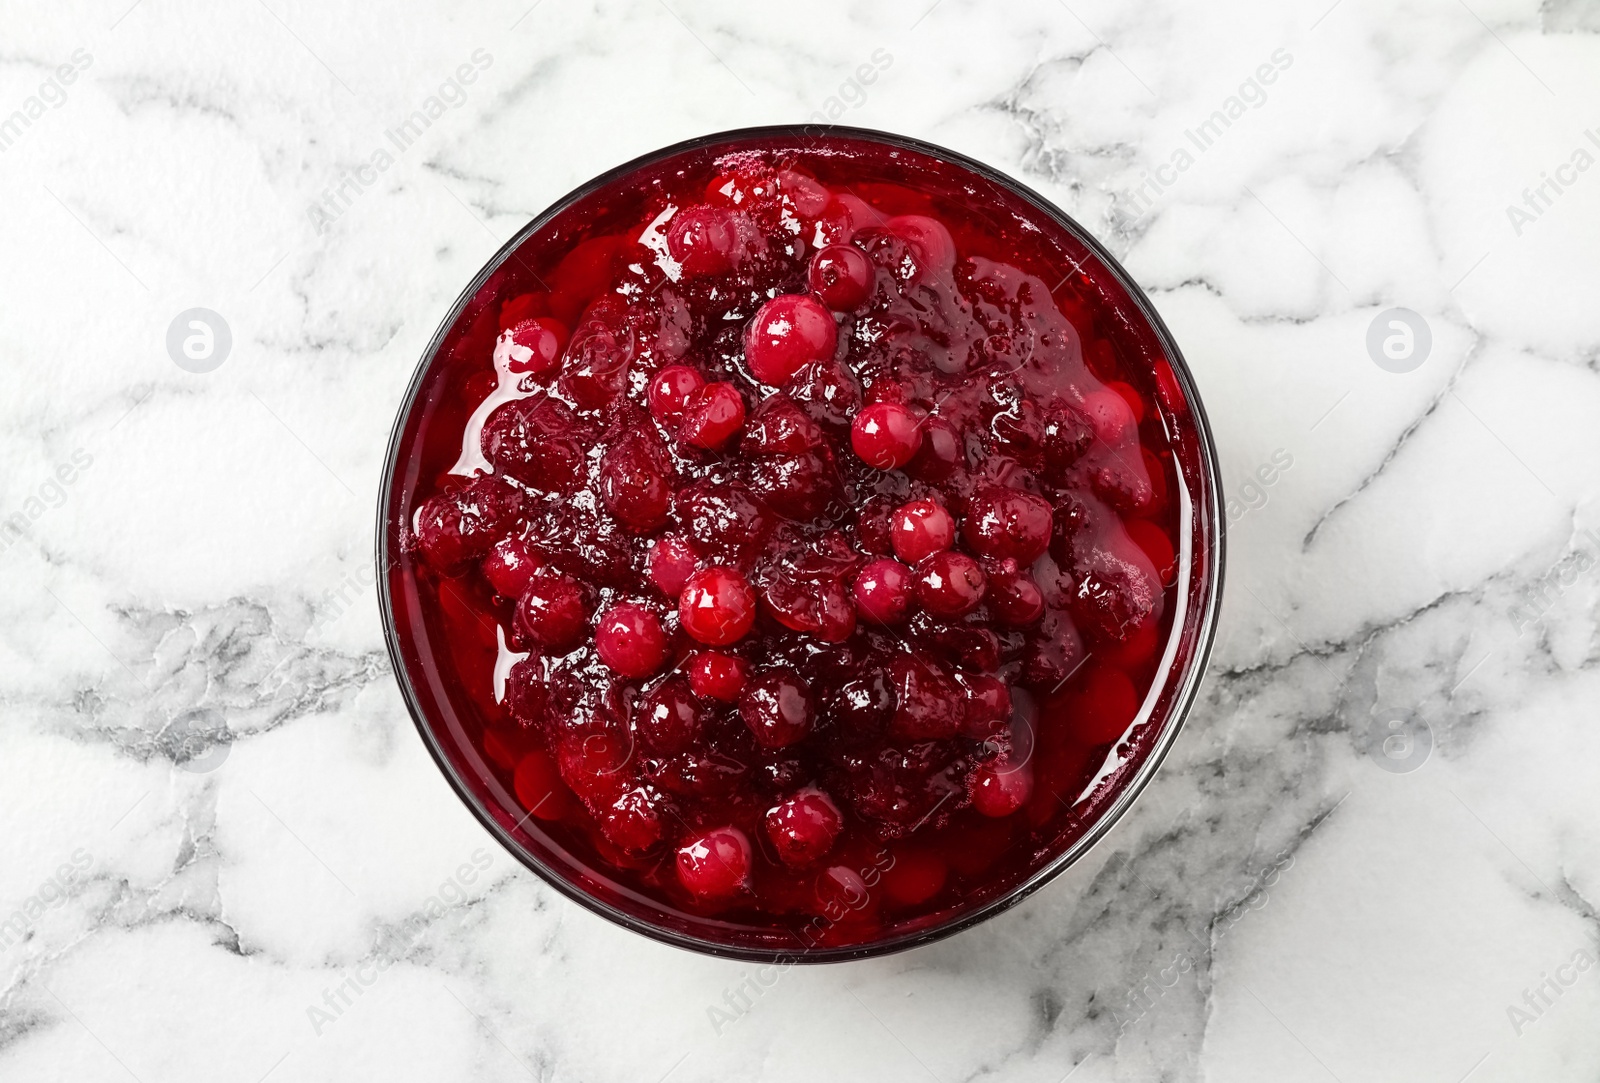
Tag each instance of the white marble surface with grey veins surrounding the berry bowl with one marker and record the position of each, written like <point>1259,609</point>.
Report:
<point>1276,908</point>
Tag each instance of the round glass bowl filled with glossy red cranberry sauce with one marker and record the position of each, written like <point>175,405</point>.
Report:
<point>801,546</point>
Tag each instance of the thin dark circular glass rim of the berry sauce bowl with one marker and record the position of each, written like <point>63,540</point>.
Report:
<point>1183,703</point>
